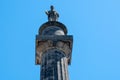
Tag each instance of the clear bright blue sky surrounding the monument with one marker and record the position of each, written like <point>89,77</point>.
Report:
<point>95,25</point>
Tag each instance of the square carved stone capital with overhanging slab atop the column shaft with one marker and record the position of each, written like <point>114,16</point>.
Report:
<point>44,43</point>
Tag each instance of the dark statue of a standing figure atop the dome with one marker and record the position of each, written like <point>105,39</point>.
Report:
<point>52,14</point>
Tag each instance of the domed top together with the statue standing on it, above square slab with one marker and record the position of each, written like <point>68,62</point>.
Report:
<point>52,27</point>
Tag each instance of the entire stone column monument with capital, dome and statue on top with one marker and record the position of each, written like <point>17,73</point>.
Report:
<point>53,48</point>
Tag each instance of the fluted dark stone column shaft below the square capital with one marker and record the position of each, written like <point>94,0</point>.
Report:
<point>53,66</point>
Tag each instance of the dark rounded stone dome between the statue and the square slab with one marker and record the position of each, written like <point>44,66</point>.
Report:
<point>53,28</point>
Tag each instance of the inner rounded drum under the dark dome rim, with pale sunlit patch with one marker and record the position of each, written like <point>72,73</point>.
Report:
<point>53,30</point>
